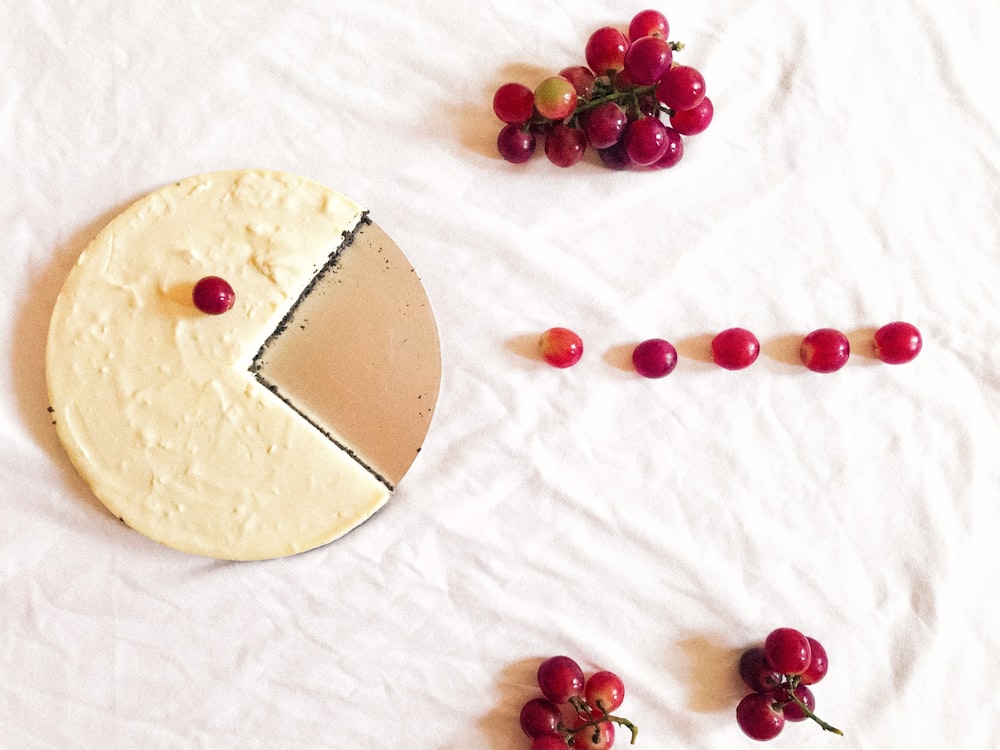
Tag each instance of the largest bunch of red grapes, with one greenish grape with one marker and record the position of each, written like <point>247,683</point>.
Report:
<point>631,102</point>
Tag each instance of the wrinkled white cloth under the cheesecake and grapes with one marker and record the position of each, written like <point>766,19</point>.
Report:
<point>851,178</point>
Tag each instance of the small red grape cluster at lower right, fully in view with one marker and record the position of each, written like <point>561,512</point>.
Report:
<point>780,673</point>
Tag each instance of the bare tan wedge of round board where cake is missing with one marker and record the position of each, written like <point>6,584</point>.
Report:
<point>358,355</point>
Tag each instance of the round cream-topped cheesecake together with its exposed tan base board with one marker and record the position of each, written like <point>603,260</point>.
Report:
<point>171,415</point>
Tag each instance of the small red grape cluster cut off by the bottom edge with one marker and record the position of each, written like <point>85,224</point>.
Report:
<point>574,712</point>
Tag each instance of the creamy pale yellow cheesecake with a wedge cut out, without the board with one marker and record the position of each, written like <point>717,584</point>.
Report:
<point>153,399</point>
